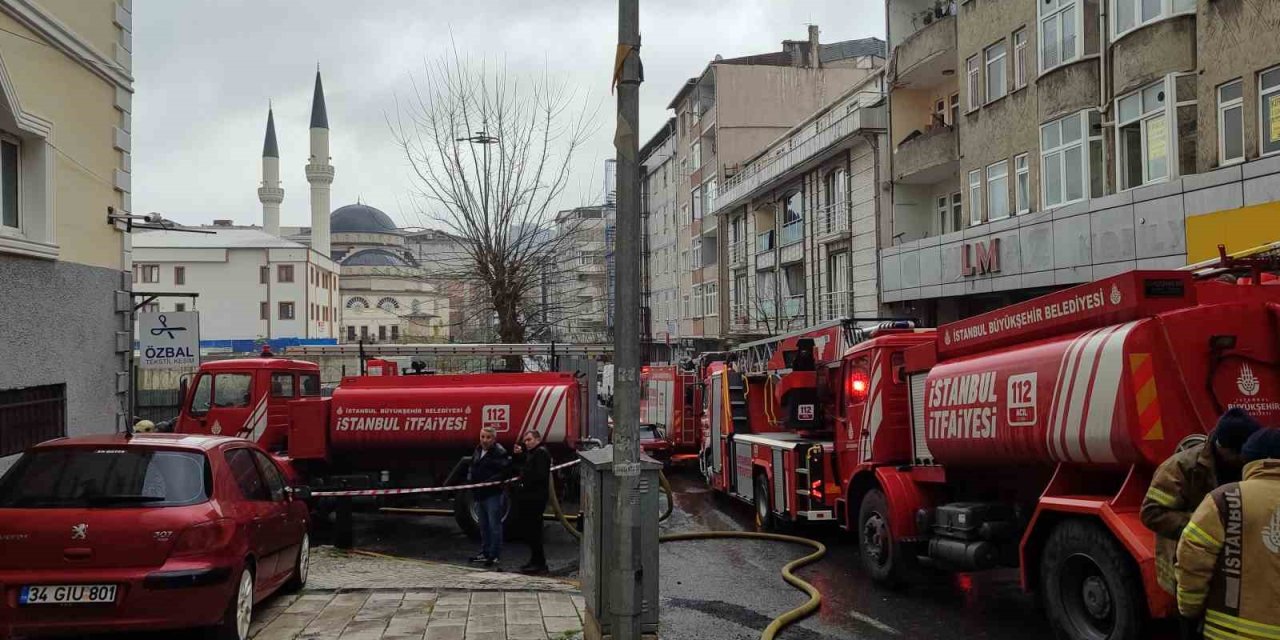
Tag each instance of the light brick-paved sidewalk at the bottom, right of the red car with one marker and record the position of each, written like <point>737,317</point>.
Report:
<point>390,615</point>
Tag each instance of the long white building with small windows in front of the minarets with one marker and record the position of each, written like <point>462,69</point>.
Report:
<point>250,285</point>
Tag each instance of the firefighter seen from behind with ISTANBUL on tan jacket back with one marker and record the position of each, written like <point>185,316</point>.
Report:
<point>1229,555</point>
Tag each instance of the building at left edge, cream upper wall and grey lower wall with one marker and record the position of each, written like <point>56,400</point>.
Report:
<point>66,102</point>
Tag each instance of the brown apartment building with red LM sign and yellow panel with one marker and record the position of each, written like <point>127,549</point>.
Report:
<point>1039,144</point>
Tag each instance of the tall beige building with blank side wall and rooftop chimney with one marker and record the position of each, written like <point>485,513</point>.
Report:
<point>724,117</point>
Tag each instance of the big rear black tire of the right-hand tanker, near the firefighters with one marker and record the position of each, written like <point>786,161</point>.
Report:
<point>1090,587</point>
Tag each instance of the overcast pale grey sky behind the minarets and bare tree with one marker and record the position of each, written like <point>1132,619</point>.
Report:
<point>204,72</point>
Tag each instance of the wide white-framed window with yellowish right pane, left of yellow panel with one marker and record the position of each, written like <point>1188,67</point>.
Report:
<point>1142,138</point>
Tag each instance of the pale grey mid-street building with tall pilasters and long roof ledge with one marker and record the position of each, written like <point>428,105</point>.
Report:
<point>801,221</point>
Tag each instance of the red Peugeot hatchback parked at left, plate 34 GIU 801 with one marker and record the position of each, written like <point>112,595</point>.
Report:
<point>112,533</point>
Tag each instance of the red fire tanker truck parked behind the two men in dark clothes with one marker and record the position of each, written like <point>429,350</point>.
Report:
<point>386,429</point>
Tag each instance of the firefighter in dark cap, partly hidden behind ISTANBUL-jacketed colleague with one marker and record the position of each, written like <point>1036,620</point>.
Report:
<point>1185,481</point>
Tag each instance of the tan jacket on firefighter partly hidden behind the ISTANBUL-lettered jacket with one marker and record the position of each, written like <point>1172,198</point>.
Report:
<point>1181,484</point>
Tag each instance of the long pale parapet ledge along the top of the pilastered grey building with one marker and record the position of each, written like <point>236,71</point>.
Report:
<point>863,112</point>
